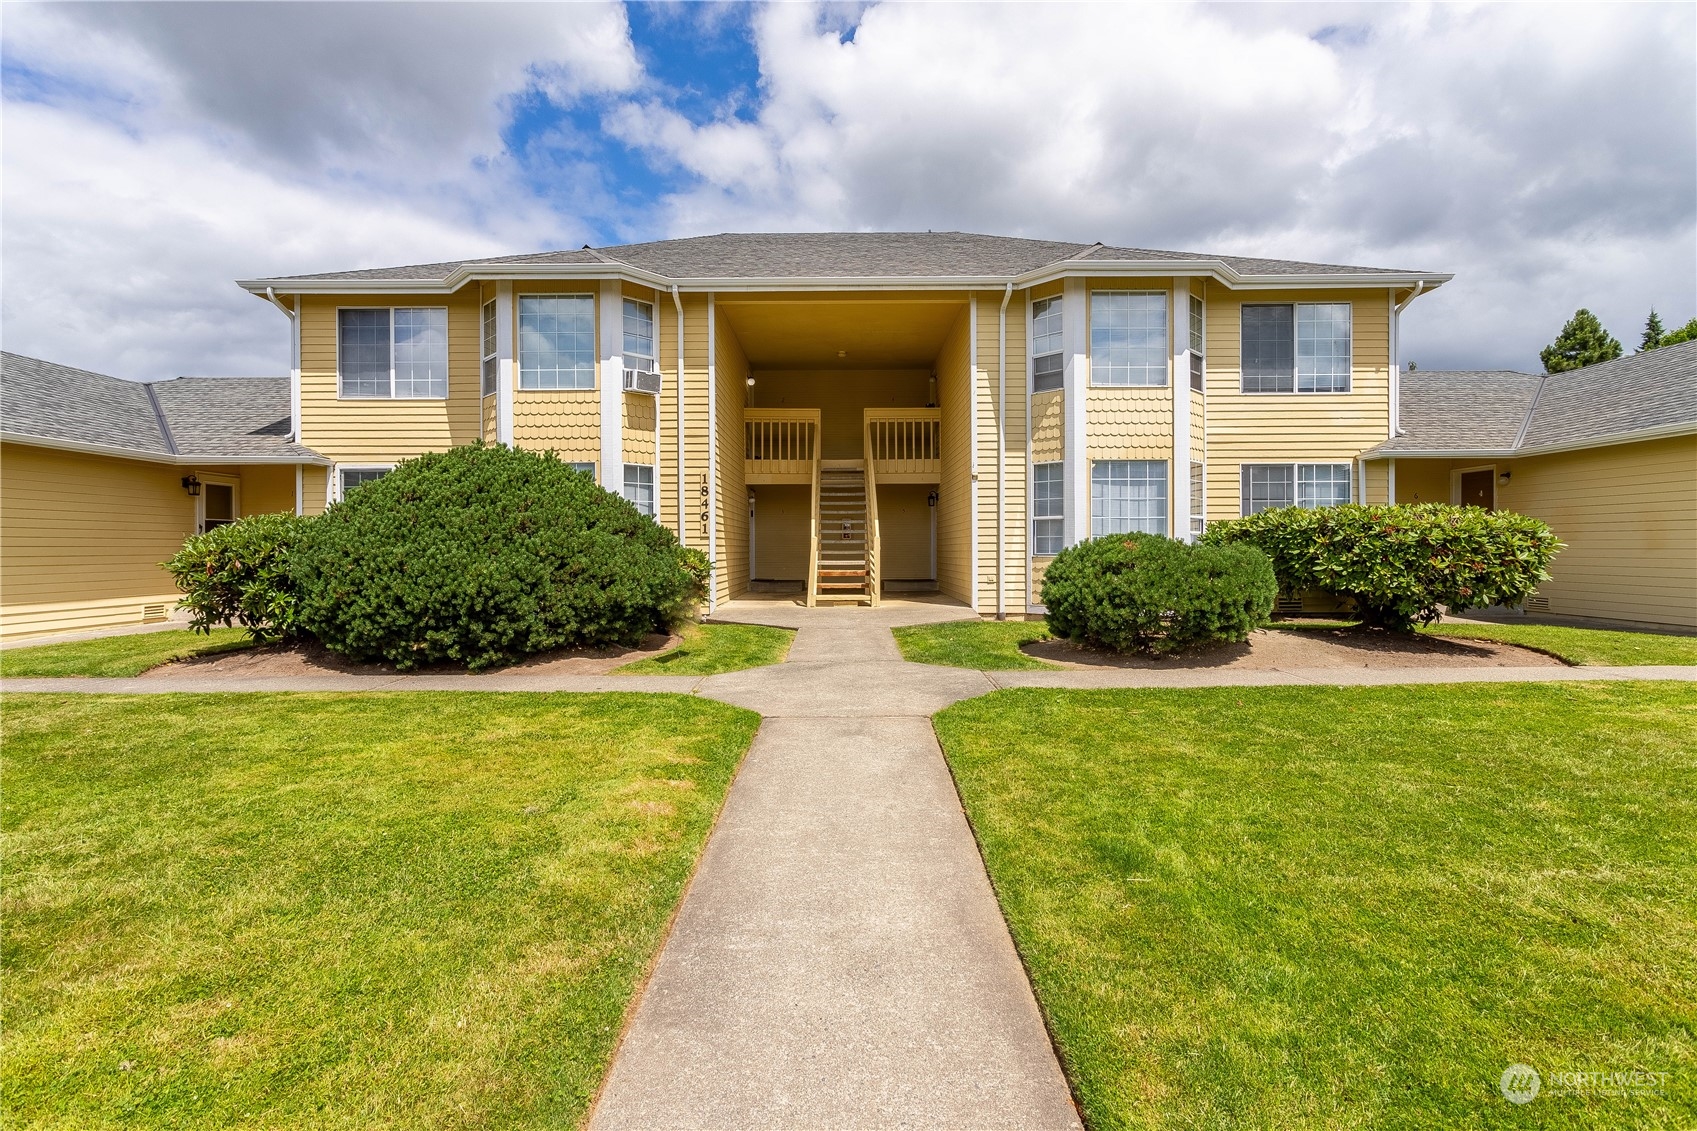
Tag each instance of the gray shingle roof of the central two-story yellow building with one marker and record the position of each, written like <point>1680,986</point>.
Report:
<point>844,256</point>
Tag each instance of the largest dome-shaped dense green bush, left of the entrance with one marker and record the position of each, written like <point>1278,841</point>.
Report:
<point>483,556</point>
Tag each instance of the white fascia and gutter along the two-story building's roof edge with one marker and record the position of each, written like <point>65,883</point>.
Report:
<point>1107,269</point>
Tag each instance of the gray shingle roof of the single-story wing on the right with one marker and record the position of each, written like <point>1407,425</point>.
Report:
<point>1506,412</point>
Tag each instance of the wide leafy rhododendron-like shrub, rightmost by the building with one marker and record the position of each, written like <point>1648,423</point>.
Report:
<point>1401,565</point>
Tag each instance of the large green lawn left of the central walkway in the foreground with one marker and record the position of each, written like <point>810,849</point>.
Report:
<point>339,911</point>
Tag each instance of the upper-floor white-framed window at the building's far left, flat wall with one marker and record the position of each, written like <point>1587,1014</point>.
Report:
<point>393,352</point>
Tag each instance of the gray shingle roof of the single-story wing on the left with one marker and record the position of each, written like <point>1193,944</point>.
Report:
<point>208,419</point>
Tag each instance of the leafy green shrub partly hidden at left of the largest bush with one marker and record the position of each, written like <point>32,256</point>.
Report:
<point>238,575</point>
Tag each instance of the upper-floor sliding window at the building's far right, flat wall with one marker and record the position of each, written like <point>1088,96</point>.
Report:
<point>1296,347</point>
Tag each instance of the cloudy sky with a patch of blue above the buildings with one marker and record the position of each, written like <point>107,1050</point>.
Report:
<point>157,152</point>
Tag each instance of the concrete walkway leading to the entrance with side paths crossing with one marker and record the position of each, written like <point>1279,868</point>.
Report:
<point>839,959</point>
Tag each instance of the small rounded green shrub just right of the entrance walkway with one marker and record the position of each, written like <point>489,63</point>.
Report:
<point>1143,594</point>
